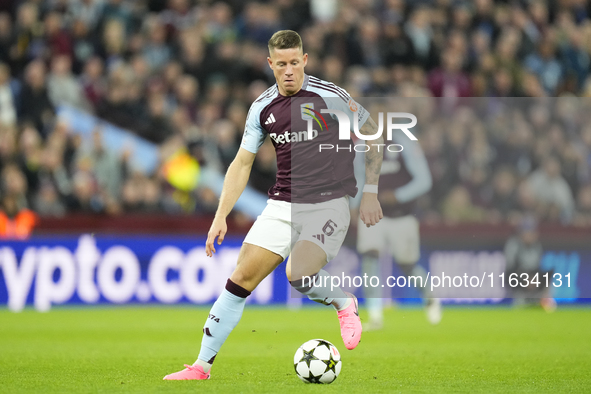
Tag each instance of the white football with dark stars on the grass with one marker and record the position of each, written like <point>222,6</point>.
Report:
<point>317,361</point>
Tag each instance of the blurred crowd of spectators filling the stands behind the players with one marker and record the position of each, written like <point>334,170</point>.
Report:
<point>183,73</point>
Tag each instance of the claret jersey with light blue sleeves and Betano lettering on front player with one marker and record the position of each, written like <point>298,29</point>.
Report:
<point>303,173</point>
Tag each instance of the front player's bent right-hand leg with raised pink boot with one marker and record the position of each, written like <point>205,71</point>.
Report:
<point>308,259</point>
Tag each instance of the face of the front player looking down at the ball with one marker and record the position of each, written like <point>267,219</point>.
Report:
<point>288,67</point>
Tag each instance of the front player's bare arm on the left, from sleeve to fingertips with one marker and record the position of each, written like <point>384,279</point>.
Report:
<point>234,184</point>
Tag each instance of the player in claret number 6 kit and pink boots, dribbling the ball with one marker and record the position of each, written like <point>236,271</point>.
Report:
<point>307,214</point>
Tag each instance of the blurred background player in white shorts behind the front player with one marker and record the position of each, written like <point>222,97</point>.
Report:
<point>404,177</point>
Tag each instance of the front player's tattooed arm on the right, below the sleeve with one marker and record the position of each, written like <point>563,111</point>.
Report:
<point>370,210</point>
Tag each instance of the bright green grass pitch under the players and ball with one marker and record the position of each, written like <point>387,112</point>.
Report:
<point>130,349</point>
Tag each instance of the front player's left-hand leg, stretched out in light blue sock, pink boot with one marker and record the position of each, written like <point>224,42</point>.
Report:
<point>254,264</point>
